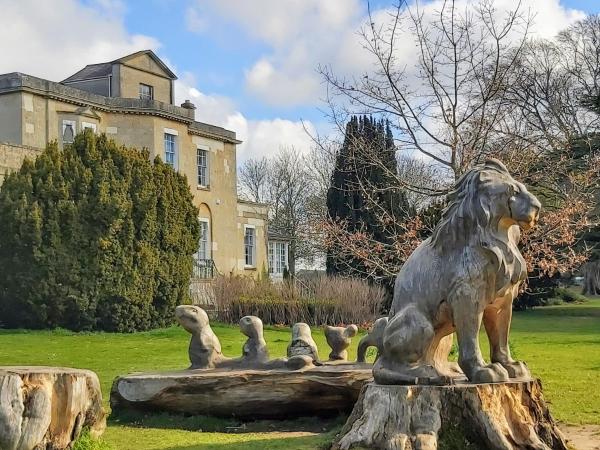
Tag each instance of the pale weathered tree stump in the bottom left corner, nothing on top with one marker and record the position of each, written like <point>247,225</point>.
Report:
<point>48,407</point>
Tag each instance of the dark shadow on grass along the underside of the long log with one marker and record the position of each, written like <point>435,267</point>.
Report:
<point>219,425</point>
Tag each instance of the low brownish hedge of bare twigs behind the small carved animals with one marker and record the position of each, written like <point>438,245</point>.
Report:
<point>324,300</point>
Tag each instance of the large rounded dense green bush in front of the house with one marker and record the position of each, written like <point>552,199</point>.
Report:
<point>95,237</point>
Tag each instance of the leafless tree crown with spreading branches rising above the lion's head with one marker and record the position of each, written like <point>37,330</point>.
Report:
<point>447,104</point>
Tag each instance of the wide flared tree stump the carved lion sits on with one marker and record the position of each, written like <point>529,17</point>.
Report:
<point>498,416</point>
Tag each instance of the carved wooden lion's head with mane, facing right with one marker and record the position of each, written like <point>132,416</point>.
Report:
<point>486,202</point>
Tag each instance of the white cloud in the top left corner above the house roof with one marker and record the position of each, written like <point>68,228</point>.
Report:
<point>55,39</point>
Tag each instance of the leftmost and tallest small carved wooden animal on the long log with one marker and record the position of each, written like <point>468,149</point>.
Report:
<point>205,349</point>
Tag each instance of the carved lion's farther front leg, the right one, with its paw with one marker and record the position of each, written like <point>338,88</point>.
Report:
<point>496,319</point>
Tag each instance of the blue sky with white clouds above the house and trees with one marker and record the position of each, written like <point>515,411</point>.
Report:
<point>248,65</point>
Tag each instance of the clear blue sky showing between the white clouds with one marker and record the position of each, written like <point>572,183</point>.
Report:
<point>219,59</point>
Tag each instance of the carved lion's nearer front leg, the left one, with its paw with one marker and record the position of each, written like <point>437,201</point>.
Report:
<point>468,314</point>
